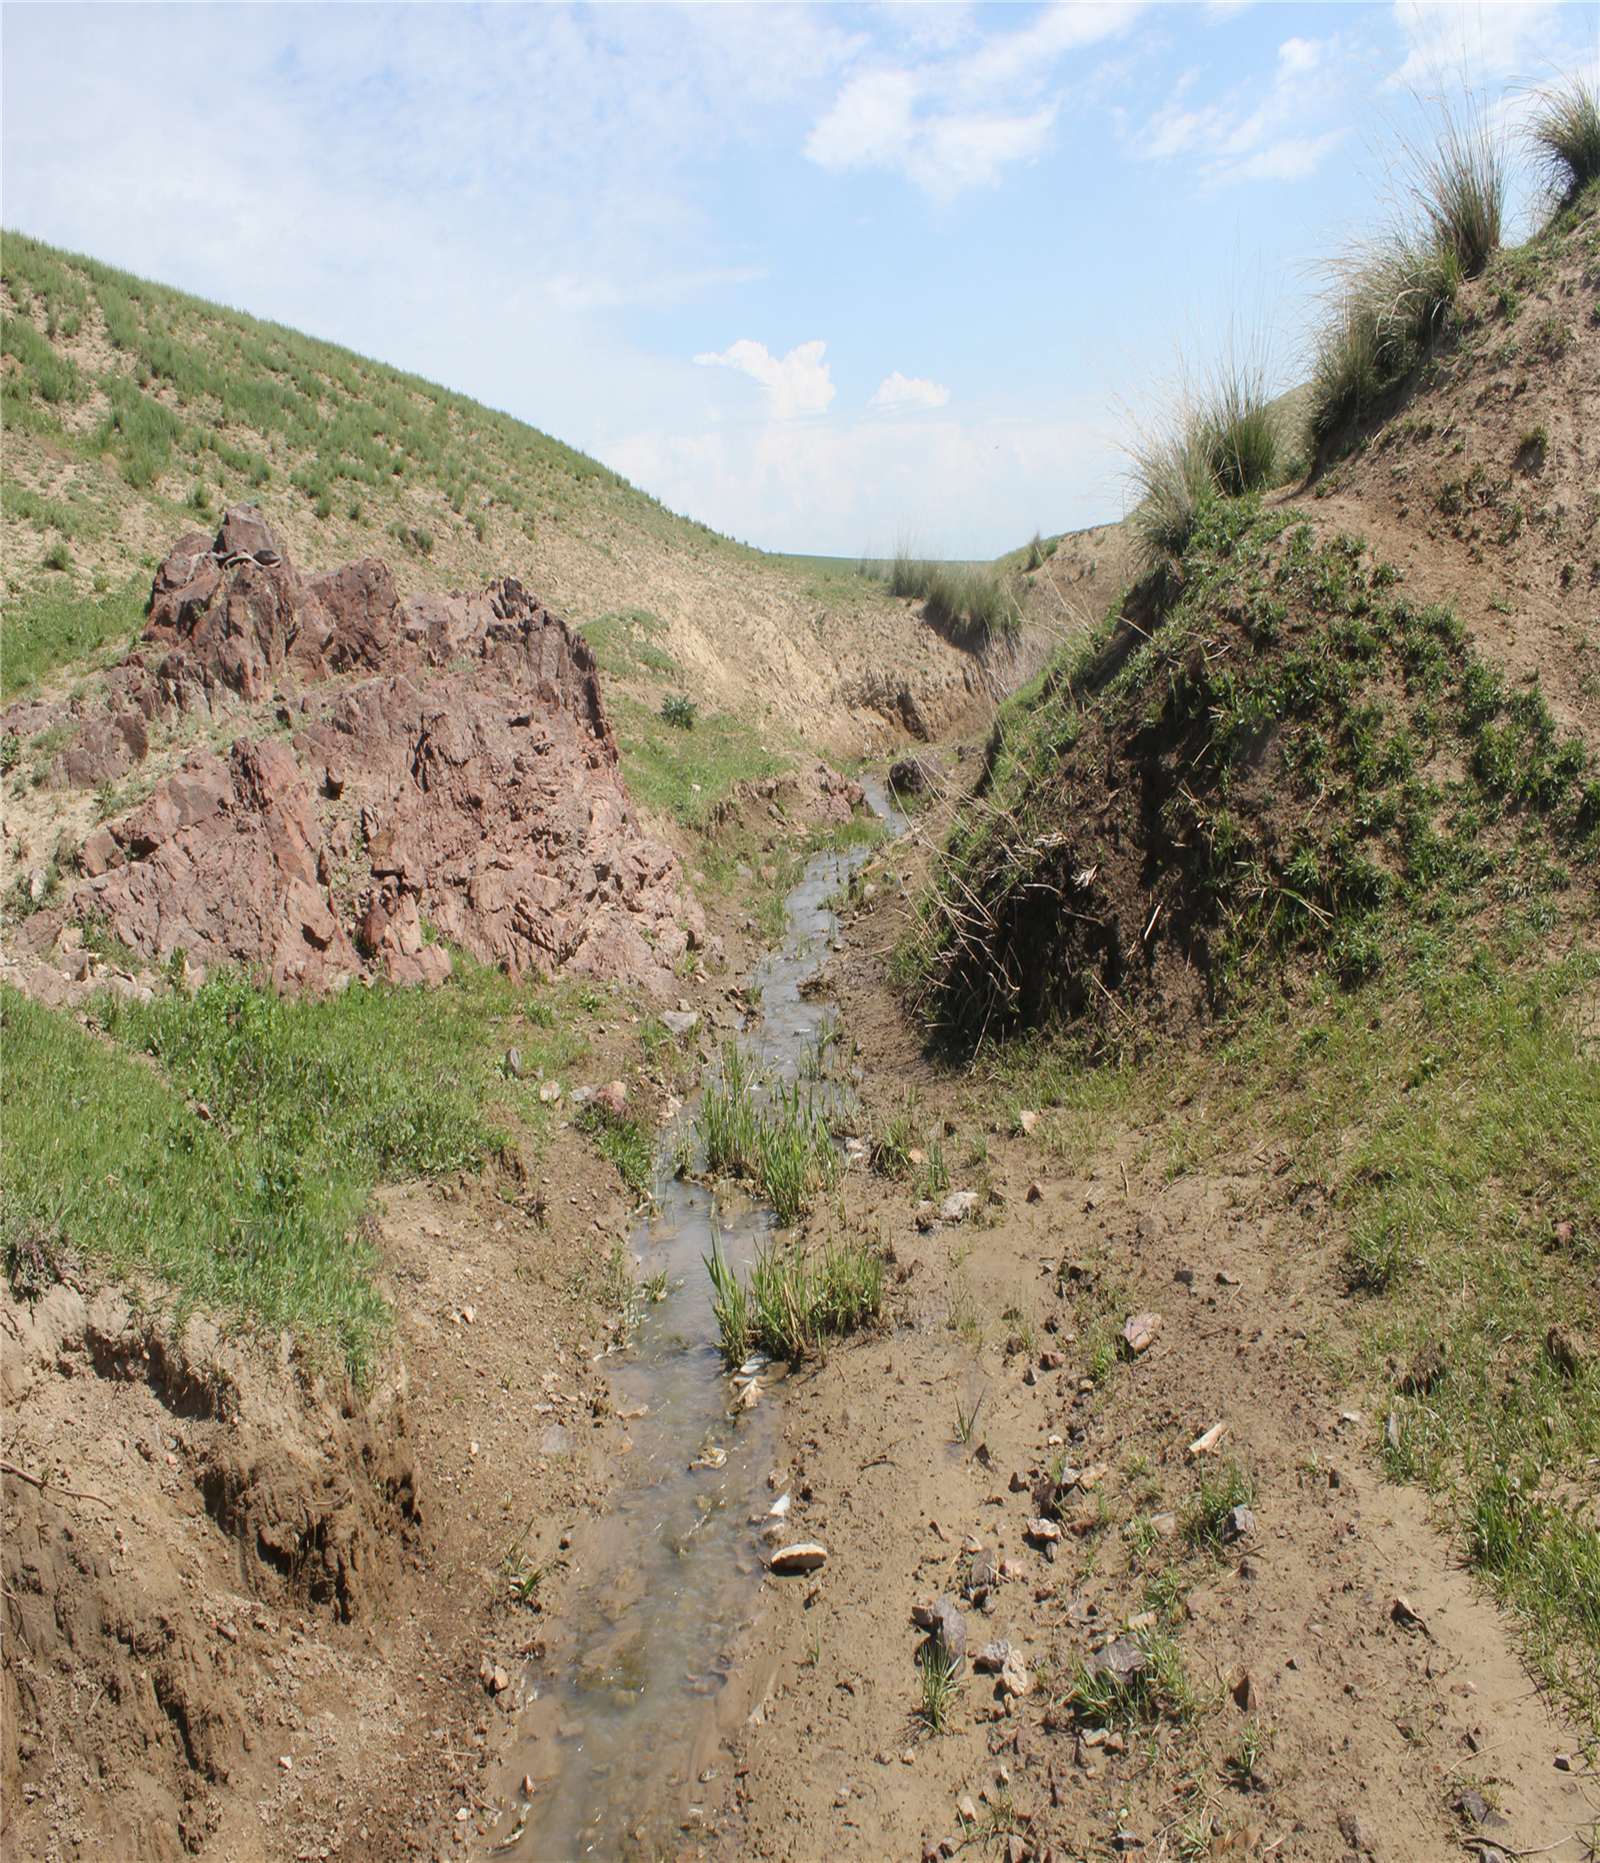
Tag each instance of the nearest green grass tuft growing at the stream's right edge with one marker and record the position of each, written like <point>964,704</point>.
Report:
<point>794,1299</point>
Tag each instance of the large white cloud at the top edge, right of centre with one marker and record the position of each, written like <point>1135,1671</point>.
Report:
<point>960,113</point>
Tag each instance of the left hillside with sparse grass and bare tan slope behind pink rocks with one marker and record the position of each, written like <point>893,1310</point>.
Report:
<point>135,413</point>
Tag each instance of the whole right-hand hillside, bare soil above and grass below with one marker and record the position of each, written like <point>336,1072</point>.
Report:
<point>1307,830</point>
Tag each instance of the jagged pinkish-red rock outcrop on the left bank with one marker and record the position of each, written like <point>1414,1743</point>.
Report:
<point>441,763</point>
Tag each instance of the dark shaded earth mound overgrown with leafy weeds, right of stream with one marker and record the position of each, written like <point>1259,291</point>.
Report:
<point>1295,761</point>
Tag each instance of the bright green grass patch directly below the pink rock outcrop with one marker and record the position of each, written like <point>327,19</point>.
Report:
<point>254,1206</point>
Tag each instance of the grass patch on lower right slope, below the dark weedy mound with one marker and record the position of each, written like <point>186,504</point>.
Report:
<point>1456,1113</point>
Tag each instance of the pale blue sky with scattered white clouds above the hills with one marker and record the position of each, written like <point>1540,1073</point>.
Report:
<point>830,279</point>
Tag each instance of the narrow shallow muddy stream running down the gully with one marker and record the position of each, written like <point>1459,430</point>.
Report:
<point>623,1711</point>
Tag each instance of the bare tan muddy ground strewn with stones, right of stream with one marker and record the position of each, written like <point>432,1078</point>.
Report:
<point>1336,1685</point>
